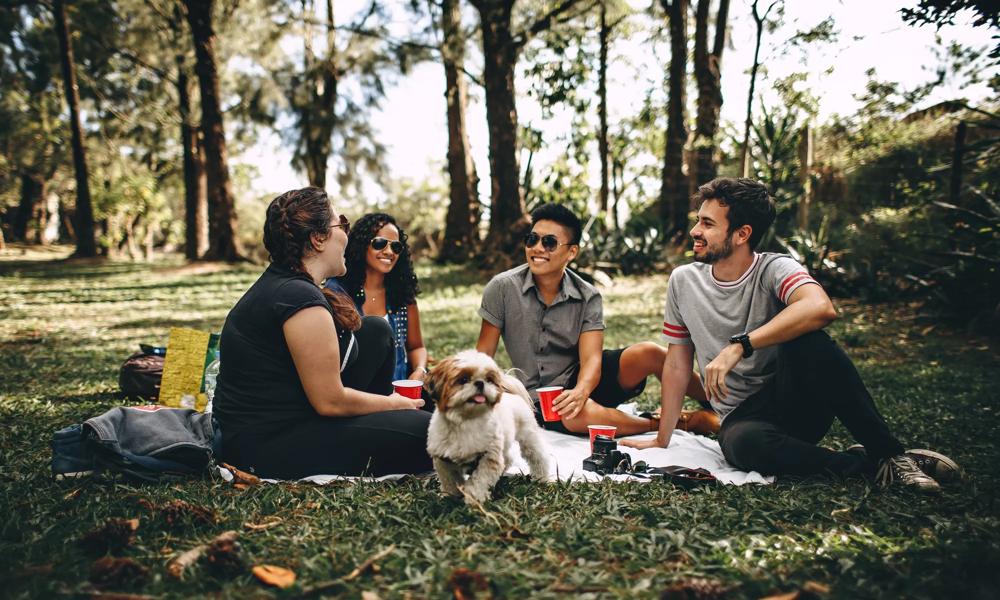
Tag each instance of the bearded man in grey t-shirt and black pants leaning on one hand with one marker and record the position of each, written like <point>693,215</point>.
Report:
<point>776,379</point>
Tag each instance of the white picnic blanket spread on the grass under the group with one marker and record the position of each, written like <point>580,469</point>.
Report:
<point>567,451</point>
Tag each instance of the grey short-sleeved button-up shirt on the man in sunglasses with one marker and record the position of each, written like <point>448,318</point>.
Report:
<point>542,341</point>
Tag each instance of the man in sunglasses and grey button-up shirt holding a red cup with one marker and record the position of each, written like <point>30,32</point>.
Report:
<point>552,325</point>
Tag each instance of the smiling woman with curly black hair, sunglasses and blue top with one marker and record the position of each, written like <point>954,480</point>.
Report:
<point>381,281</point>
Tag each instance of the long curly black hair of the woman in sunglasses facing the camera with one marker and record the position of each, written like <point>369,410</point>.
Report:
<point>401,287</point>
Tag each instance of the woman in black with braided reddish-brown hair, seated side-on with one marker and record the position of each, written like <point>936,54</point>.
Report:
<point>305,381</point>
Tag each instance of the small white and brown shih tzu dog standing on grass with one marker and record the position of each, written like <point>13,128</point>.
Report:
<point>480,412</point>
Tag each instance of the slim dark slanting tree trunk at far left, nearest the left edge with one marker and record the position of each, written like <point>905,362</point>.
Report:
<point>86,244</point>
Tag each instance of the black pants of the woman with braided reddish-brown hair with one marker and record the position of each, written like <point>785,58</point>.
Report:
<point>375,444</point>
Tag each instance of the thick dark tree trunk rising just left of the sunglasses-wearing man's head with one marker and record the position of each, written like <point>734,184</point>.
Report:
<point>507,213</point>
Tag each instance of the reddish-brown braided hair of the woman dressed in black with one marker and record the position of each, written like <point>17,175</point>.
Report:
<point>292,219</point>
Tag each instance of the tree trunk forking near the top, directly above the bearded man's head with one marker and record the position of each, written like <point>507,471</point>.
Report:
<point>708,74</point>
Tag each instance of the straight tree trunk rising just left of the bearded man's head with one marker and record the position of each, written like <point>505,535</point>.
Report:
<point>674,186</point>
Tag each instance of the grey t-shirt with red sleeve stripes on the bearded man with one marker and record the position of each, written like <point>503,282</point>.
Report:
<point>706,312</point>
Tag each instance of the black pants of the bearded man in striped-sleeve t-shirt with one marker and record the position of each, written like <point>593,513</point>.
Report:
<point>776,430</point>
